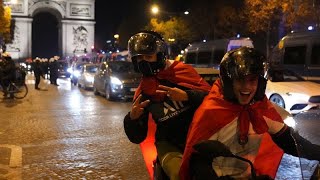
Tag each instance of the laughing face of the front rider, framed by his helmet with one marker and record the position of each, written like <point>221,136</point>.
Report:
<point>245,88</point>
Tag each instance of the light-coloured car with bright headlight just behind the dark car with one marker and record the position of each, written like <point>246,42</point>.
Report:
<point>86,76</point>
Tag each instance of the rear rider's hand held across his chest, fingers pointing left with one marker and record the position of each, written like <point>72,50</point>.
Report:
<point>174,94</point>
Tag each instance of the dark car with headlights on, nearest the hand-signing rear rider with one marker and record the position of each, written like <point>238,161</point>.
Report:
<point>116,80</point>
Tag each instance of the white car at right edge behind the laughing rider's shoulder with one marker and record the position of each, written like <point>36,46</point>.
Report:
<point>291,91</point>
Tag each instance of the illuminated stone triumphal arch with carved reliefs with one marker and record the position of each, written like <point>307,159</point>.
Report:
<point>75,25</point>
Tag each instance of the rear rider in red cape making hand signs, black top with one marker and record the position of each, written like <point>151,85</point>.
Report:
<point>169,92</point>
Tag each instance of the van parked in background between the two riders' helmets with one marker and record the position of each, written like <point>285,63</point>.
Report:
<point>209,54</point>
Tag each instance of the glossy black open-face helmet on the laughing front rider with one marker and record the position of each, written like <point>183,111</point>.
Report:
<point>237,64</point>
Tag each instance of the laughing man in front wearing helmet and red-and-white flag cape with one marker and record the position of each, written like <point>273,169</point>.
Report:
<point>238,114</point>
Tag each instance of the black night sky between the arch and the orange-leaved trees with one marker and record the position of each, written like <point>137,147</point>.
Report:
<point>110,14</point>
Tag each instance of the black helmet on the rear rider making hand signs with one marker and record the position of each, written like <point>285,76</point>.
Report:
<point>147,43</point>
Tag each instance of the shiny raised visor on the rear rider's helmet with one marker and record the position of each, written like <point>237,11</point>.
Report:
<point>144,44</point>
